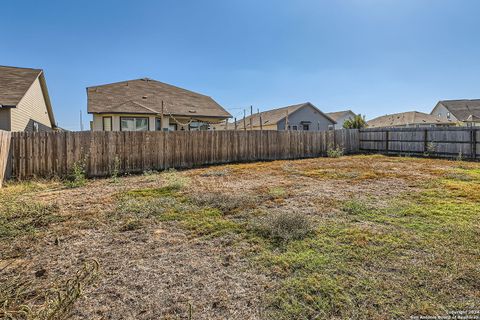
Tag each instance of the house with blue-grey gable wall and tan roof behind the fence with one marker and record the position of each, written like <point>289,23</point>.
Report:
<point>303,117</point>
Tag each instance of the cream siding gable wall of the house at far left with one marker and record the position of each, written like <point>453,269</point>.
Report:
<point>31,107</point>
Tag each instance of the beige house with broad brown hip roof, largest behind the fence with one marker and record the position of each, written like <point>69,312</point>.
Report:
<point>150,105</point>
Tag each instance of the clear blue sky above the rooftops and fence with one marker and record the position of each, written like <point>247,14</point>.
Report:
<point>371,56</point>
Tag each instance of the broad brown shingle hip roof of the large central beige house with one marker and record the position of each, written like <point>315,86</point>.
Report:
<point>146,95</point>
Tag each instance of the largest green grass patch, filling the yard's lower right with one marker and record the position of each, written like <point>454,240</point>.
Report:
<point>416,256</point>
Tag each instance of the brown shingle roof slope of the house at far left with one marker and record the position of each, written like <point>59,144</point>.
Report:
<point>14,83</point>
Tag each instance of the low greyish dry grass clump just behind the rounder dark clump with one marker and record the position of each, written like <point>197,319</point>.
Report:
<point>226,203</point>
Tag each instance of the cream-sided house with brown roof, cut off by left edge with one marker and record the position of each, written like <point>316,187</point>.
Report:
<point>24,101</point>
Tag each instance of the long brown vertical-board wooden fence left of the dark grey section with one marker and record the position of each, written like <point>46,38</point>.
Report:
<point>55,153</point>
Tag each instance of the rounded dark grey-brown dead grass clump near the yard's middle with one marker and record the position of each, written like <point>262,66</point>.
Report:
<point>285,226</point>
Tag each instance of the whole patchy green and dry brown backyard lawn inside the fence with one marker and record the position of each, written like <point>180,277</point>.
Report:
<point>360,237</point>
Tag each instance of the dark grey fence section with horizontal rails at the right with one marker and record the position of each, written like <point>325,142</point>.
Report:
<point>446,142</point>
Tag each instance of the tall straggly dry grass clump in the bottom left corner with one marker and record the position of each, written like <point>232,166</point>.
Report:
<point>21,299</point>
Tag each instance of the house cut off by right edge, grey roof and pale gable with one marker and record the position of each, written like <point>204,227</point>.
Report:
<point>463,112</point>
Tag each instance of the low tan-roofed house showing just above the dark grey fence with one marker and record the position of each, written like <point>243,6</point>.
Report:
<point>409,119</point>
